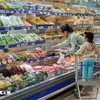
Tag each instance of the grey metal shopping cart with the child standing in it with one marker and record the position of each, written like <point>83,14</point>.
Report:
<point>94,82</point>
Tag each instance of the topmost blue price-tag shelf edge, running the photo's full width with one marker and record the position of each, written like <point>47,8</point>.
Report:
<point>44,13</point>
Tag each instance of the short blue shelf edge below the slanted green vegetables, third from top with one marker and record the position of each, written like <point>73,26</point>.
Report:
<point>22,44</point>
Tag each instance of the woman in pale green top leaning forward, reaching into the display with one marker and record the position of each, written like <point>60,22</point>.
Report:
<point>71,38</point>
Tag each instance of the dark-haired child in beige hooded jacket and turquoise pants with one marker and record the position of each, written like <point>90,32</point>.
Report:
<point>87,54</point>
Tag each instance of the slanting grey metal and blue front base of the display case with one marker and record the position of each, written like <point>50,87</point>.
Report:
<point>36,92</point>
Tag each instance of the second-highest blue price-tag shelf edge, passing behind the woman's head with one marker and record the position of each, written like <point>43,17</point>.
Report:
<point>39,27</point>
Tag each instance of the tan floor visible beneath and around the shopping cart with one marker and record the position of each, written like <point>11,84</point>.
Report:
<point>65,96</point>
